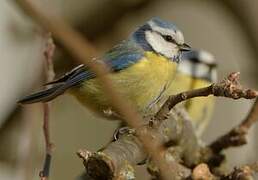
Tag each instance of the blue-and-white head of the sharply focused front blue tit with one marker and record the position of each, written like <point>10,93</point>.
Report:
<point>161,37</point>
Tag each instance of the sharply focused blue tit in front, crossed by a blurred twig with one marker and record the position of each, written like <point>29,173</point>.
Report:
<point>142,68</point>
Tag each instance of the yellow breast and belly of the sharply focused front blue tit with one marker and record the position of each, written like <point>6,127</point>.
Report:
<point>143,84</point>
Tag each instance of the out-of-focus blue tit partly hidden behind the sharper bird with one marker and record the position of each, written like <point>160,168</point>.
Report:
<point>196,70</point>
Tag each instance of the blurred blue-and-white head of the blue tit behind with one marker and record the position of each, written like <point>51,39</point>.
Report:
<point>199,64</point>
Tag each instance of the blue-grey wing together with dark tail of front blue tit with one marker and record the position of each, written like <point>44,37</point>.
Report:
<point>117,59</point>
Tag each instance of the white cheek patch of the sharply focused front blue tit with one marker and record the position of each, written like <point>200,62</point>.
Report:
<point>161,46</point>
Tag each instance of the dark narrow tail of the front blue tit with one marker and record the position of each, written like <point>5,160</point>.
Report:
<point>43,96</point>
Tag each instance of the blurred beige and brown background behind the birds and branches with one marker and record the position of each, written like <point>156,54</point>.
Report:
<point>228,29</point>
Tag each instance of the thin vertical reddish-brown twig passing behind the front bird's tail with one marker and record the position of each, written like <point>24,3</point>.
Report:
<point>50,74</point>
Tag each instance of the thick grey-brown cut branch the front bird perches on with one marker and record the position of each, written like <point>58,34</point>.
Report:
<point>128,150</point>
